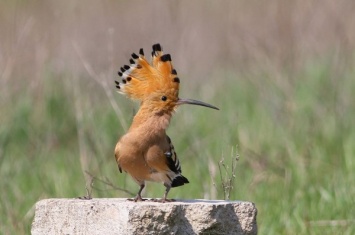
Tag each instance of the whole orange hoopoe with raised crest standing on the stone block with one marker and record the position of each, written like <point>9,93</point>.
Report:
<point>145,152</point>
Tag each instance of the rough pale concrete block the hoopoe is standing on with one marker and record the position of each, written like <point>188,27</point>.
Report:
<point>119,216</point>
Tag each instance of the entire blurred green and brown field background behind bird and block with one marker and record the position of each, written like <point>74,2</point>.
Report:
<point>282,73</point>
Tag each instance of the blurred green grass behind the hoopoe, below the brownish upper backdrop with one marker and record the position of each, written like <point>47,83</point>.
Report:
<point>295,141</point>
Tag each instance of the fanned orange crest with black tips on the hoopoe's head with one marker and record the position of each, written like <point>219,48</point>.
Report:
<point>140,79</point>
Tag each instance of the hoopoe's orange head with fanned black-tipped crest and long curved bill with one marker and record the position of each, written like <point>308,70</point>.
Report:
<point>155,85</point>
